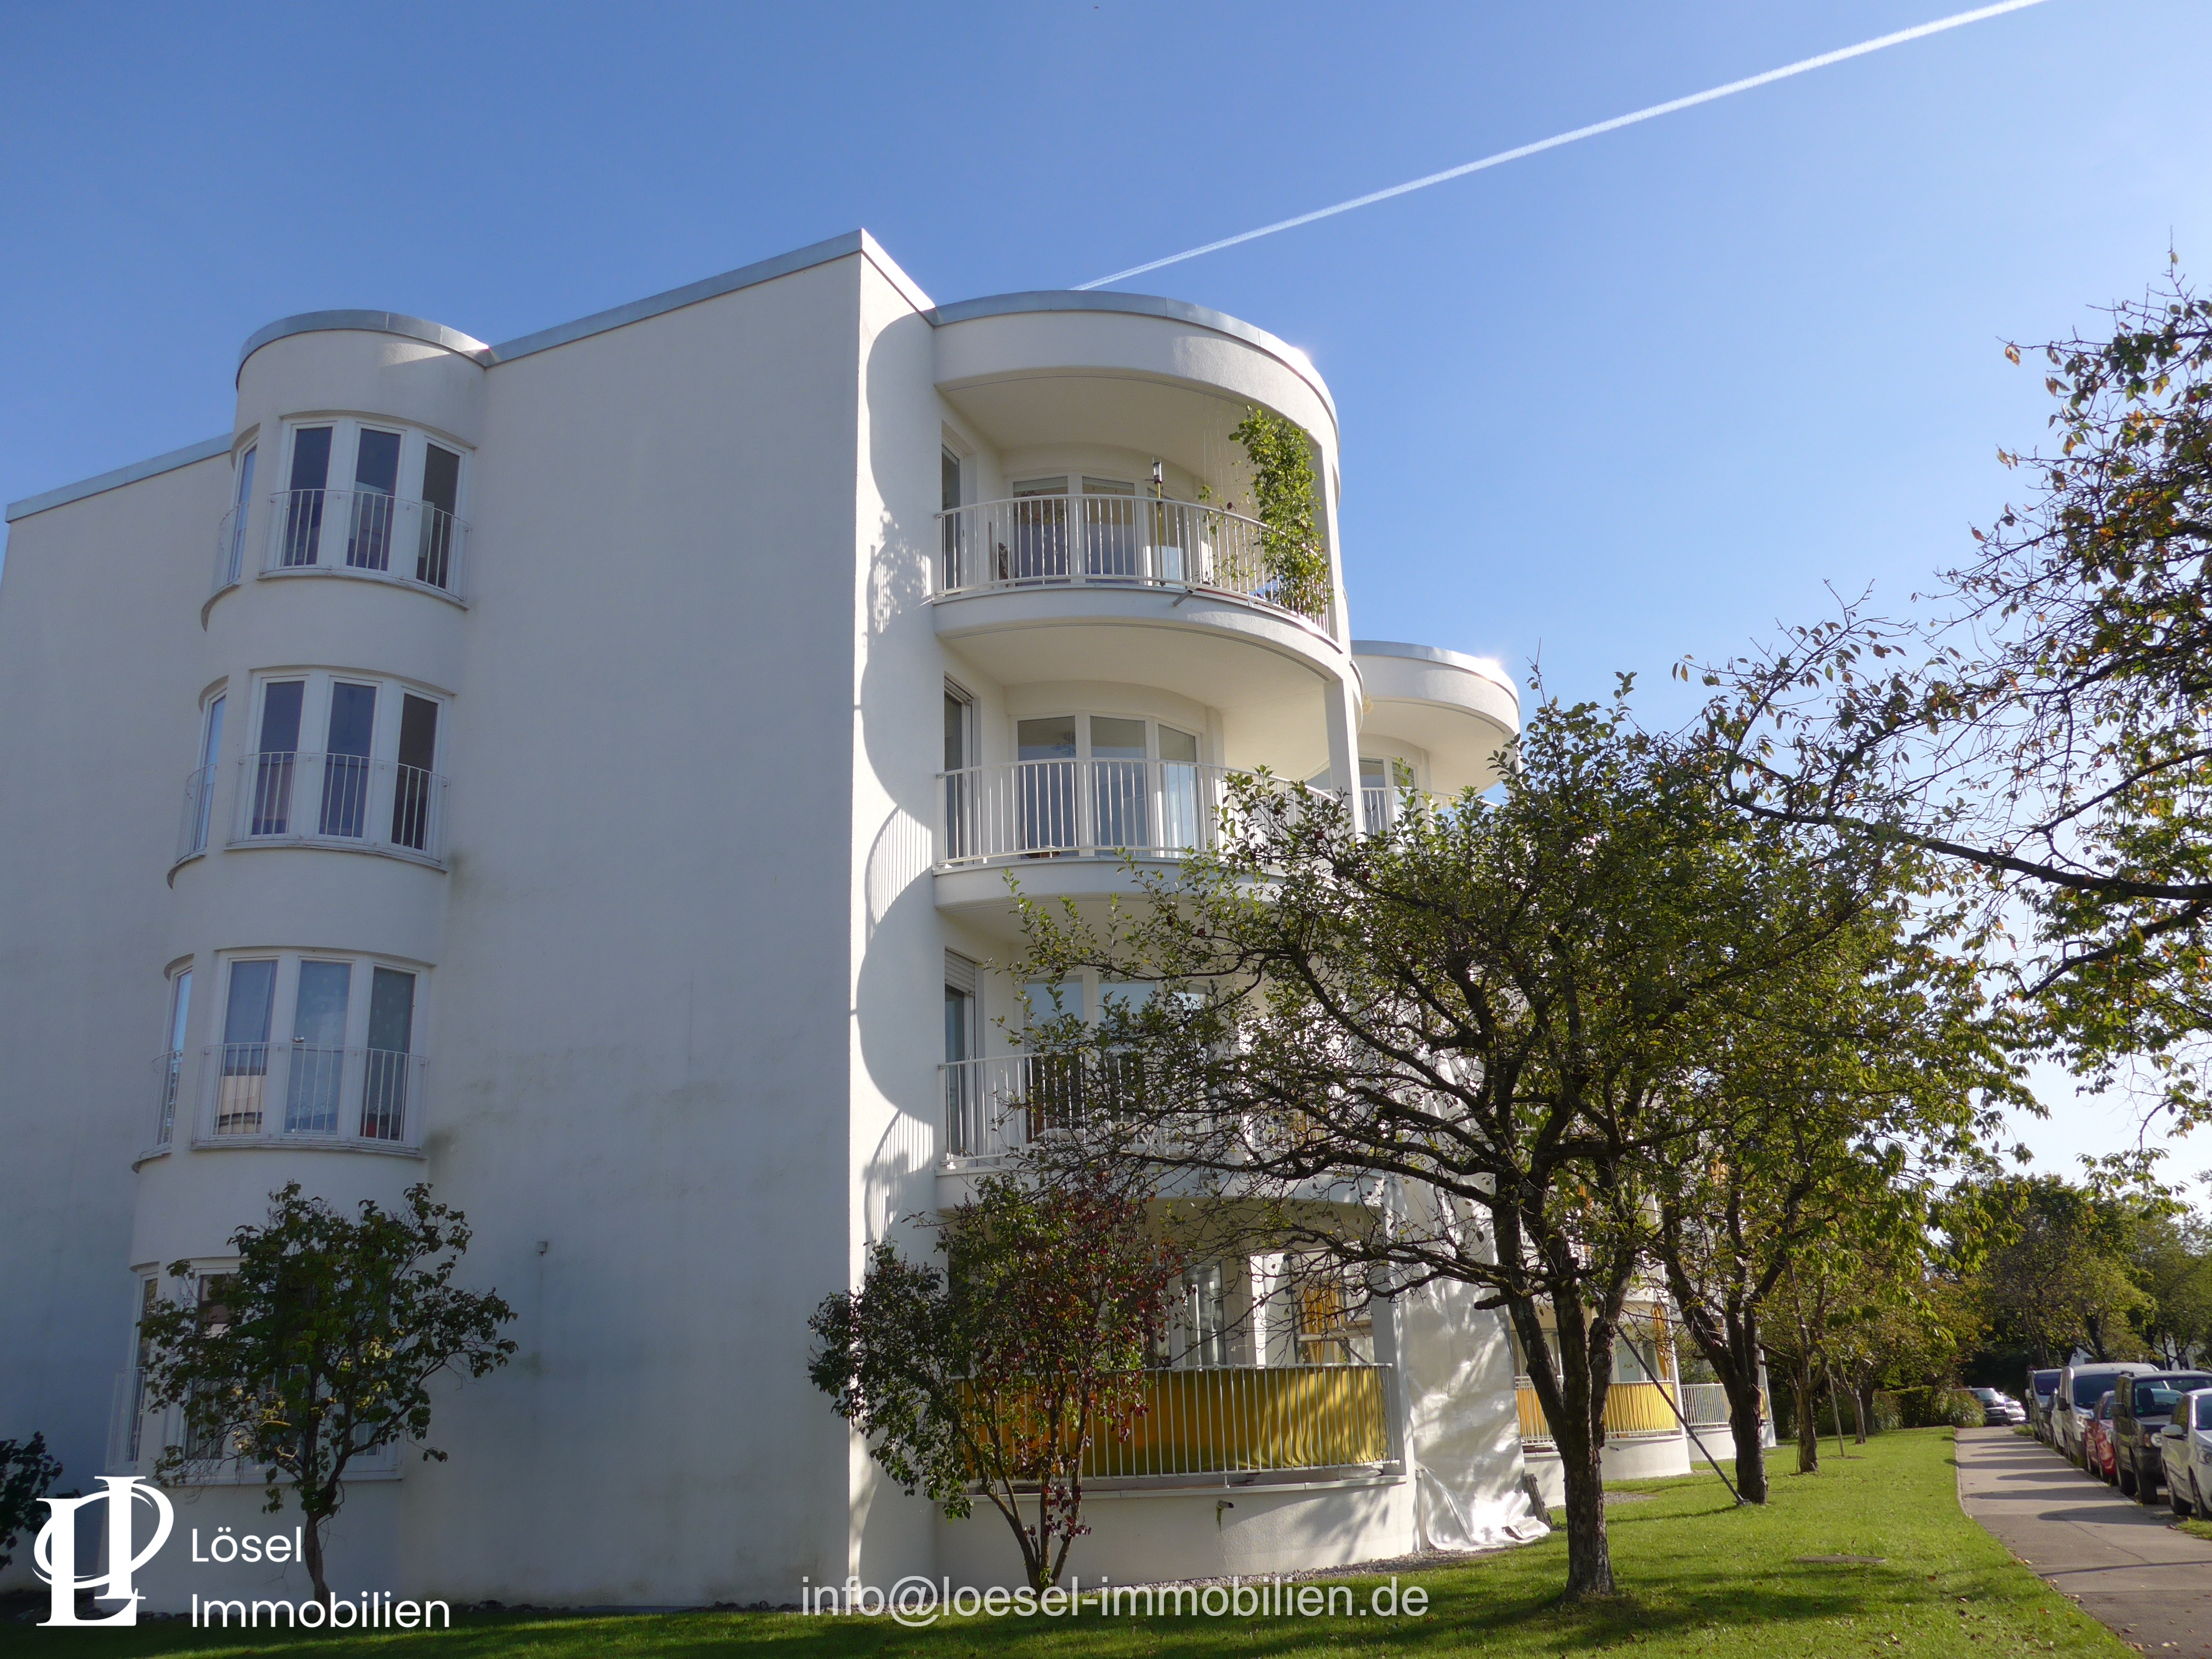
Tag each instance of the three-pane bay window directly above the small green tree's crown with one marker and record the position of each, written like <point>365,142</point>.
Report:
<point>351,1063</point>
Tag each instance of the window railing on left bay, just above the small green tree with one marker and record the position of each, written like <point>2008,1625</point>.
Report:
<point>306,1092</point>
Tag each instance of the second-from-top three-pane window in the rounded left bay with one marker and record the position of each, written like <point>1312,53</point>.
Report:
<point>373,780</point>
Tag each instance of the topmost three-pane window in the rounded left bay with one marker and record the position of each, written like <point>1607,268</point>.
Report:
<point>388,534</point>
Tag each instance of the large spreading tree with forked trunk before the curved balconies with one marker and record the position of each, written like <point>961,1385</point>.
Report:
<point>1457,1047</point>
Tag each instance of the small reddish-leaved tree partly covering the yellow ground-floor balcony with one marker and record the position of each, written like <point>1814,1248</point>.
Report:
<point>1005,1368</point>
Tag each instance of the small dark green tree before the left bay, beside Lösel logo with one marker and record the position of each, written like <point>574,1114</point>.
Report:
<point>317,1348</point>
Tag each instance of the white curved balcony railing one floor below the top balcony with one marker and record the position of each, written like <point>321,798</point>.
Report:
<point>1045,808</point>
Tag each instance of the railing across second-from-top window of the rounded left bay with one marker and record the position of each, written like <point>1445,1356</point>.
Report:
<point>340,802</point>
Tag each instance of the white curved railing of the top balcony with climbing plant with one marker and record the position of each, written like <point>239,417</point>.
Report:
<point>1116,541</point>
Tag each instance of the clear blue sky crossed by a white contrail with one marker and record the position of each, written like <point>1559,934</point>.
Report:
<point>1609,406</point>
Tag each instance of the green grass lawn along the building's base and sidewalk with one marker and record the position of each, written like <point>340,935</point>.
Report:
<point>1698,1578</point>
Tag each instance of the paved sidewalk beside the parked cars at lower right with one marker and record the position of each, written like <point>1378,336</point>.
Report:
<point>2120,1561</point>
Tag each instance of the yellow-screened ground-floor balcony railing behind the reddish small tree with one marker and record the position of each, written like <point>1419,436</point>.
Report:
<point>1253,1419</point>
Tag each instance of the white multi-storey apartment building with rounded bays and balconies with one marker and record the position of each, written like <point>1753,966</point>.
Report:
<point>585,773</point>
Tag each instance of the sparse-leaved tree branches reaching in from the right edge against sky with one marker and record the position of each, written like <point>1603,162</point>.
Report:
<point>2047,724</point>
